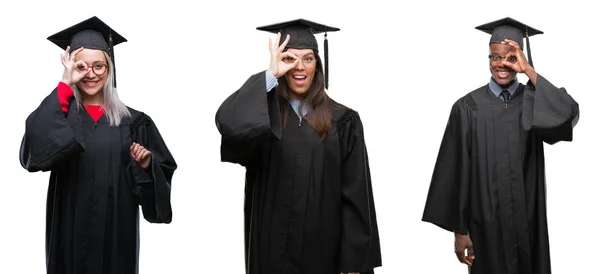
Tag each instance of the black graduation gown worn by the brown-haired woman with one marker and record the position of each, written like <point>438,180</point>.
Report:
<point>309,204</point>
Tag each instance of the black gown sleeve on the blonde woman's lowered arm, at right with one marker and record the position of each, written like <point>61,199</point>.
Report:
<point>152,186</point>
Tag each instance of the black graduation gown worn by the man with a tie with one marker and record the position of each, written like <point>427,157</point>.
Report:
<point>488,180</point>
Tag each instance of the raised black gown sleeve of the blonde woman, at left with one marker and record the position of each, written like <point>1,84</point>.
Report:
<point>51,136</point>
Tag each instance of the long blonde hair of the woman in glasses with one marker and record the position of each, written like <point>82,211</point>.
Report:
<point>114,109</point>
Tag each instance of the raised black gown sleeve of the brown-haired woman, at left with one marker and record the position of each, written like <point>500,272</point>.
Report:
<point>246,119</point>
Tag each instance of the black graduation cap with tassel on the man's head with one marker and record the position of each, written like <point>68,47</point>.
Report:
<point>508,28</point>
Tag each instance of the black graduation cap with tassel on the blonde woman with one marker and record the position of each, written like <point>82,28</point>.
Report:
<point>91,34</point>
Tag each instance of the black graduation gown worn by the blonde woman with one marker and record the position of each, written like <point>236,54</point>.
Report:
<point>96,187</point>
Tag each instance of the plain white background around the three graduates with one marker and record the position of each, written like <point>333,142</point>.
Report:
<point>400,66</point>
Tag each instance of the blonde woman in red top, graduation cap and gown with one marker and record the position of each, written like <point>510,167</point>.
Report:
<point>105,160</point>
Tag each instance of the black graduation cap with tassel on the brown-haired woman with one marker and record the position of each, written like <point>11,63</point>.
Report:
<point>302,36</point>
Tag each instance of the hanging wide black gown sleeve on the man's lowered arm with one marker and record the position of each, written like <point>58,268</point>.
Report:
<point>447,204</point>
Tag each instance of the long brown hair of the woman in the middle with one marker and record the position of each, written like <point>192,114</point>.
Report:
<point>316,100</point>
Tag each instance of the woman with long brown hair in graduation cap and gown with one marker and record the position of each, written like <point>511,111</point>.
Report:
<point>309,204</point>
